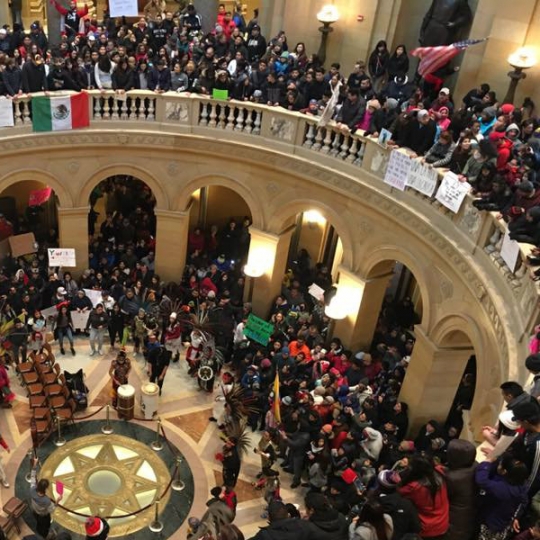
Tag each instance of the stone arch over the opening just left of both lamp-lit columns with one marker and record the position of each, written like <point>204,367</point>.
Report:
<point>182,199</point>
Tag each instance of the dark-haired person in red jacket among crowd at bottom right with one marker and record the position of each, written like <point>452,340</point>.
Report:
<point>424,484</point>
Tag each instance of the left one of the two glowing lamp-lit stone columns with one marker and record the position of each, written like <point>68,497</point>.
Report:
<point>269,252</point>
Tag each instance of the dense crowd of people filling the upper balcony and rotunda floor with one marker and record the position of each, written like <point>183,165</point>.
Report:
<point>342,431</point>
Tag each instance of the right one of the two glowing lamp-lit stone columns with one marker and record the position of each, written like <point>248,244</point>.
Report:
<point>365,298</point>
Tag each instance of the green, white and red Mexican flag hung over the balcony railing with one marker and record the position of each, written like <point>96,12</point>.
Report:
<point>62,112</point>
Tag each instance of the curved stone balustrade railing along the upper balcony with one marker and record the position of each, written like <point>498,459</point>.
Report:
<point>300,135</point>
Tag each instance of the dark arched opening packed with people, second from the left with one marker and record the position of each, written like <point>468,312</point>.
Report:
<point>121,223</point>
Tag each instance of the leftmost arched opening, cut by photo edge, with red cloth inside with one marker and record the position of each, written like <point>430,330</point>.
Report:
<point>30,206</point>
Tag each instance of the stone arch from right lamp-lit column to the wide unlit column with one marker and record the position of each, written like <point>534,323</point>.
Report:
<point>376,261</point>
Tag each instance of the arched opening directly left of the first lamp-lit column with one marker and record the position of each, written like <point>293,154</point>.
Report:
<point>219,221</point>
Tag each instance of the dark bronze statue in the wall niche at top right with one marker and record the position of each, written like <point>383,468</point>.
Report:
<point>443,21</point>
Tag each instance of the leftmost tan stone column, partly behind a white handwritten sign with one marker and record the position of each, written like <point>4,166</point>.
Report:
<point>73,232</point>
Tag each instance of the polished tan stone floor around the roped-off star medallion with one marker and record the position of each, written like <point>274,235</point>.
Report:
<point>184,411</point>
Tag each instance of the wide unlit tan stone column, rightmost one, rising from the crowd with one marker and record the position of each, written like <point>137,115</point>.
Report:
<point>432,379</point>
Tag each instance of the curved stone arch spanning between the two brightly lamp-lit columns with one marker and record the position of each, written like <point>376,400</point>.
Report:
<point>287,208</point>
